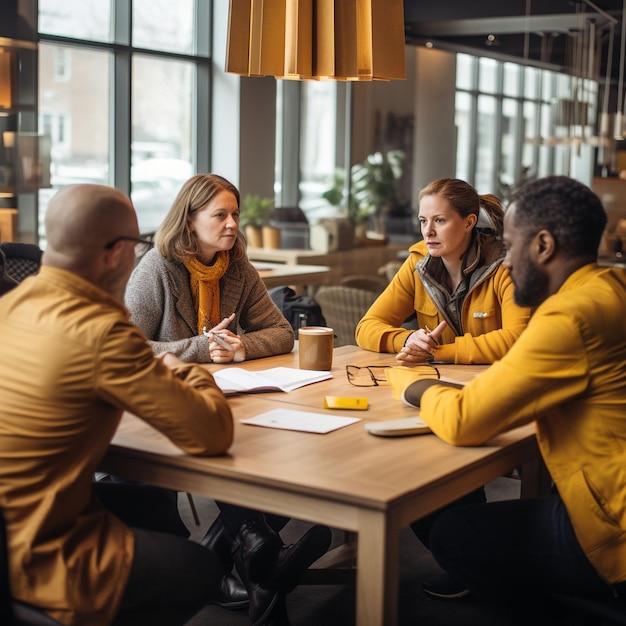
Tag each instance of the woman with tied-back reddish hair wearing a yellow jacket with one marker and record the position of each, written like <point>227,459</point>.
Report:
<point>453,281</point>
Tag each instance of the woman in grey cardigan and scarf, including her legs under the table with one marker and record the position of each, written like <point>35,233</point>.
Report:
<point>197,295</point>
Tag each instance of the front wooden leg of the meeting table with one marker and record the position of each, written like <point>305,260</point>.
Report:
<point>377,570</point>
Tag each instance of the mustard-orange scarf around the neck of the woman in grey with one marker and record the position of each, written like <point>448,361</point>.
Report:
<point>205,288</point>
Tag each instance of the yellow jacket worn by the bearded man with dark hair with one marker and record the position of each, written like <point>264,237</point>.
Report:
<point>568,372</point>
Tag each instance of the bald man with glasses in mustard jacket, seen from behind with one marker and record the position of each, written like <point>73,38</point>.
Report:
<point>71,364</point>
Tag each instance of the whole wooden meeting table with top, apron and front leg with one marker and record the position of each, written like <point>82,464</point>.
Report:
<point>346,479</point>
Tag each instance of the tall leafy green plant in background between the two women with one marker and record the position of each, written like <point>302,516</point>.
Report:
<point>372,188</point>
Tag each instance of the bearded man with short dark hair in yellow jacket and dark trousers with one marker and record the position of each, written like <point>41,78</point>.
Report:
<point>567,373</point>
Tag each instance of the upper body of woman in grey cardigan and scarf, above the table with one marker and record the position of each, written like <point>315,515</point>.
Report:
<point>198,278</point>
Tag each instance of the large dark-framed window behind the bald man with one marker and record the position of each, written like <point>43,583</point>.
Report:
<point>120,102</point>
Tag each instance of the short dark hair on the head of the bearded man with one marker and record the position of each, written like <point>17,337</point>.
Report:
<point>569,210</point>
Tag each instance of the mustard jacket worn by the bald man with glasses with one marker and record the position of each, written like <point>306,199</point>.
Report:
<point>70,364</point>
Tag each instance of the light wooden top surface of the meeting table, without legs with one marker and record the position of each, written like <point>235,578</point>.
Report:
<point>347,464</point>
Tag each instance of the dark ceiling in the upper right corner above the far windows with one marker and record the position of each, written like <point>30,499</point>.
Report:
<point>547,33</point>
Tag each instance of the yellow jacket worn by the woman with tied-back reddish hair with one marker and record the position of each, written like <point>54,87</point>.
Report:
<point>491,320</point>
